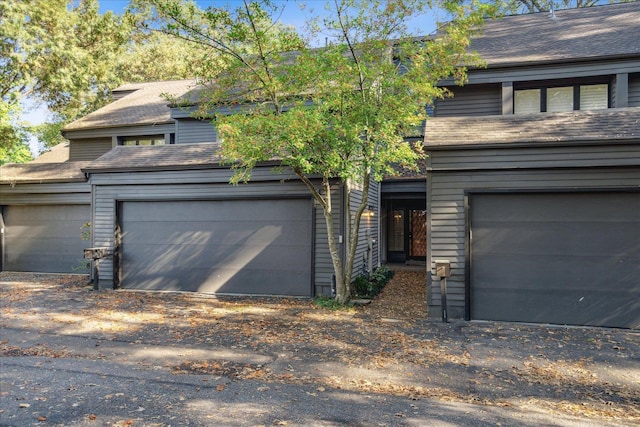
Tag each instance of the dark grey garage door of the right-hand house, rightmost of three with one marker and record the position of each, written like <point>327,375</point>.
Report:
<point>556,258</point>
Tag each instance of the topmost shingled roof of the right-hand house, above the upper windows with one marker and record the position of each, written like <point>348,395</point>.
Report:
<point>574,34</point>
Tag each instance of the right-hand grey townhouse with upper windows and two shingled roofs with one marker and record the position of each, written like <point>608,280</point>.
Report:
<point>534,173</point>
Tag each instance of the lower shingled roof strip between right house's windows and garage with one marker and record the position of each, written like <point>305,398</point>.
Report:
<point>617,124</point>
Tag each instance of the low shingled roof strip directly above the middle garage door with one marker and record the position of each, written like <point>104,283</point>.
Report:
<point>159,157</point>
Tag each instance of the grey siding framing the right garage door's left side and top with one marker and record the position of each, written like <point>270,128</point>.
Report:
<point>447,215</point>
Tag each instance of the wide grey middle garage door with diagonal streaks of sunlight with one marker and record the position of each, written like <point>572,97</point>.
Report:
<point>228,247</point>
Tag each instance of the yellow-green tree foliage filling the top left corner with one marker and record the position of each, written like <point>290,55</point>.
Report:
<point>59,52</point>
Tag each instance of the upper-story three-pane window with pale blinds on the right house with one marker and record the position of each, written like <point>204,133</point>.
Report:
<point>561,98</point>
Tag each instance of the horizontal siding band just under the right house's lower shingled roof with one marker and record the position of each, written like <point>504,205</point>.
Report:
<point>534,157</point>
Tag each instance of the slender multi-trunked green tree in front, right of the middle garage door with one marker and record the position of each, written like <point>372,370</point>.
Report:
<point>343,111</point>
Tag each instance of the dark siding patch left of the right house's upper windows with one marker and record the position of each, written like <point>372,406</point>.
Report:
<point>472,100</point>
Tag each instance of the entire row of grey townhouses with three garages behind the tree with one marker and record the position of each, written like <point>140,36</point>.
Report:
<point>531,189</point>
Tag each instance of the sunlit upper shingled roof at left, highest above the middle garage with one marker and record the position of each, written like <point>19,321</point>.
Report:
<point>142,104</point>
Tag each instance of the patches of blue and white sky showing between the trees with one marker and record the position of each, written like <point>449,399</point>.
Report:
<point>295,13</point>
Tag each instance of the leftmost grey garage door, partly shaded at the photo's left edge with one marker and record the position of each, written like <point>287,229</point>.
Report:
<point>44,238</point>
